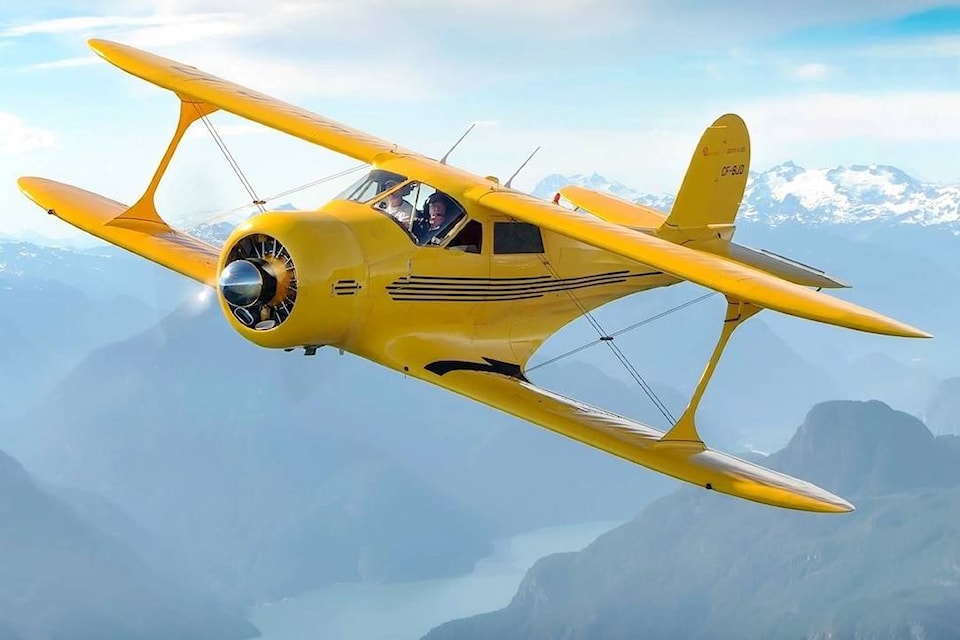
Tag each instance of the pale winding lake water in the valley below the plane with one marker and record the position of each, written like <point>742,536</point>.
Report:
<point>407,611</point>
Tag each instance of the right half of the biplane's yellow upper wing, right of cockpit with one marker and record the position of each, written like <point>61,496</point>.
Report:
<point>715,272</point>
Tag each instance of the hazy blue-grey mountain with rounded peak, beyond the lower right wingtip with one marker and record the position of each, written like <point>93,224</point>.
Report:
<point>699,565</point>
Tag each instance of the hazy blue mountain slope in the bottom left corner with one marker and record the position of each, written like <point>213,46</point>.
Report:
<point>65,577</point>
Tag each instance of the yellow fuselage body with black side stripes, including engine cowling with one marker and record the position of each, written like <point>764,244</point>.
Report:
<point>362,283</point>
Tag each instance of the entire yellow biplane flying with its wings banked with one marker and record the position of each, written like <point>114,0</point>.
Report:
<point>457,280</point>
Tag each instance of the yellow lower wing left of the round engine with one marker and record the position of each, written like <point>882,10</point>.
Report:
<point>100,216</point>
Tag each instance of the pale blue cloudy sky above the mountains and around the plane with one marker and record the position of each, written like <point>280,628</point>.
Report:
<point>623,88</point>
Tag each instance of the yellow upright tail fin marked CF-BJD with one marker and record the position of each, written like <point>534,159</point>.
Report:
<point>716,178</point>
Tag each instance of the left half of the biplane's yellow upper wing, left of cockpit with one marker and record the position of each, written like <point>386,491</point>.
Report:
<point>192,84</point>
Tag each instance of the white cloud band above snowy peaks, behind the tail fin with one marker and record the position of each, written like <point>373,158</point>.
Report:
<point>824,128</point>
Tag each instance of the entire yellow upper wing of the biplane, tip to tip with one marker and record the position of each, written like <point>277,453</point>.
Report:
<point>736,280</point>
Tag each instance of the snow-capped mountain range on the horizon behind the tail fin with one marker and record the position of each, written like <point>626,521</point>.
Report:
<point>790,193</point>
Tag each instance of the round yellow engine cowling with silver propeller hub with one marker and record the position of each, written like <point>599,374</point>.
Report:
<point>280,279</point>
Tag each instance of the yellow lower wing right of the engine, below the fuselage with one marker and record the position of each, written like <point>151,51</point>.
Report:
<point>636,442</point>
